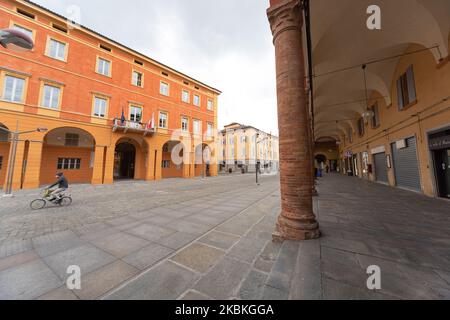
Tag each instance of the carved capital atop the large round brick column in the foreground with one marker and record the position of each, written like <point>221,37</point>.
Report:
<point>286,15</point>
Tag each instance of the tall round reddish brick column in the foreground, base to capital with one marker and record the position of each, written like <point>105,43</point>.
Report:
<point>297,220</point>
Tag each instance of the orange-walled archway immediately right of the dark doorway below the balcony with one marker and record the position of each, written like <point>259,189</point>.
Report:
<point>172,160</point>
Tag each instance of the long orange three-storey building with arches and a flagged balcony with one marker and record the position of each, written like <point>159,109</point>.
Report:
<point>111,112</point>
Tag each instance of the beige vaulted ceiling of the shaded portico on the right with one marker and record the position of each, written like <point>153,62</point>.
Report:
<point>340,39</point>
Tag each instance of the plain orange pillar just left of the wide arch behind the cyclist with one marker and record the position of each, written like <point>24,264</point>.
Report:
<point>33,169</point>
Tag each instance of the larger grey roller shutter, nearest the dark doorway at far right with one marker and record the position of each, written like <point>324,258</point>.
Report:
<point>406,165</point>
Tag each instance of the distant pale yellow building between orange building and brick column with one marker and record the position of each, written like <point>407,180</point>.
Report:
<point>241,147</point>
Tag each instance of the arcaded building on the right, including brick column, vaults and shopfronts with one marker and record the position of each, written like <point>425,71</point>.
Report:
<point>377,88</point>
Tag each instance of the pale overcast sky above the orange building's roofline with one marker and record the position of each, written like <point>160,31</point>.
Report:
<point>224,43</point>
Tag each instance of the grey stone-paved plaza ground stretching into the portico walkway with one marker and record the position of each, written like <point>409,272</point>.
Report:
<point>211,239</point>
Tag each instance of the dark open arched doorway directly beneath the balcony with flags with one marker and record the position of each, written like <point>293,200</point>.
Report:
<point>124,161</point>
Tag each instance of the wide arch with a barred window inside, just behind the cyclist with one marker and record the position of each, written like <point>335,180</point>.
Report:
<point>68,150</point>
